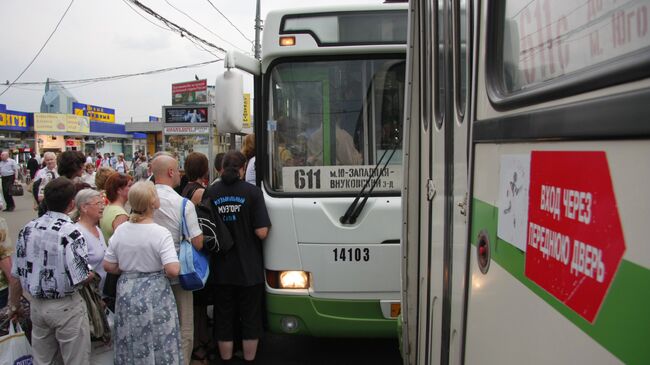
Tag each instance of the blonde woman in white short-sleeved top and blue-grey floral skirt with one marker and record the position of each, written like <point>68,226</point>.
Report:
<point>146,319</point>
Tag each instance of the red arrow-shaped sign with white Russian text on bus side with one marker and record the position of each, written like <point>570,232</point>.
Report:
<point>575,241</point>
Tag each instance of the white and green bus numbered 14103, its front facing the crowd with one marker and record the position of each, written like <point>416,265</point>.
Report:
<point>329,101</point>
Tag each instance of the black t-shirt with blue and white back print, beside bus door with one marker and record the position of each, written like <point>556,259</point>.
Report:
<point>242,208</point>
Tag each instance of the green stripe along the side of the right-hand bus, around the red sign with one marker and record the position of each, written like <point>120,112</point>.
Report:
<point>623,323</point>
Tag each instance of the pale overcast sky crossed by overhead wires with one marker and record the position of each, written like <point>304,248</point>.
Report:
<point>107,37</point>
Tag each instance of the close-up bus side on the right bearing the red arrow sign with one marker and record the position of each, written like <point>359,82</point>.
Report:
<point>526,141</point>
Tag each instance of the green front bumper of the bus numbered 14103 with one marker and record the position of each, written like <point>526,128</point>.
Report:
<point>308,316</point>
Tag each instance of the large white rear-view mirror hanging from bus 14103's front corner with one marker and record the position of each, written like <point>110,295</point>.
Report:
<point>229,102</point>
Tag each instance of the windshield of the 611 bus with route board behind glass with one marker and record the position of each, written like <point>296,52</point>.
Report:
<point>332,122</point>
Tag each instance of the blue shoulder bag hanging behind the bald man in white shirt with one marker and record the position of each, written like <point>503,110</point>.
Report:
<point>195,266</point>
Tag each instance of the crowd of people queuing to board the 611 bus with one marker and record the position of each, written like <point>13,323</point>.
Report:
<point>116,230</point>
